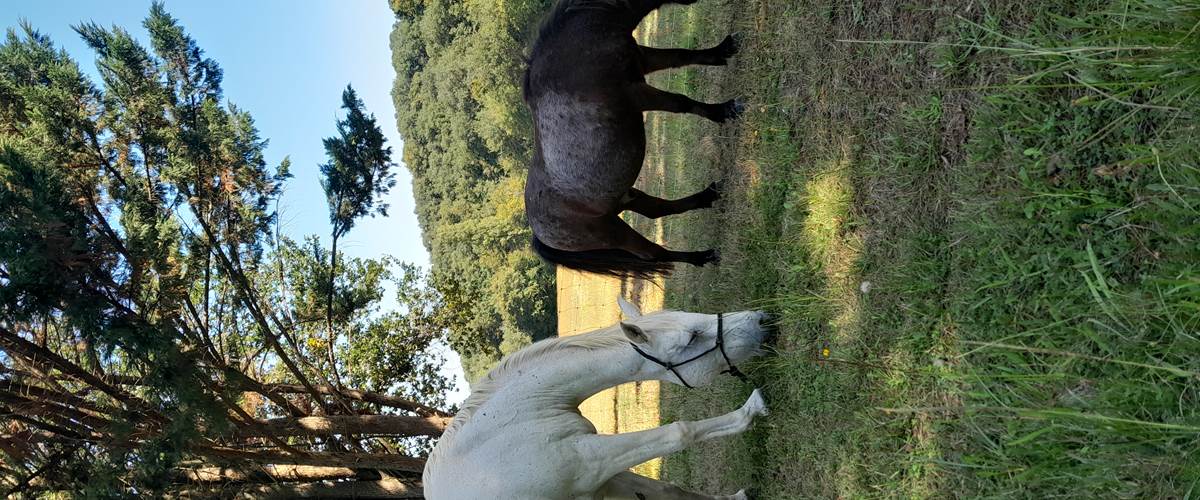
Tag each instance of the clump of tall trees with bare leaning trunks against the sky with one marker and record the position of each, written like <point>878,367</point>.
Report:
<point>158,333</point>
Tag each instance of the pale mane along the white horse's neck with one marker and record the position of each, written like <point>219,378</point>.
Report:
<point>484,389</point>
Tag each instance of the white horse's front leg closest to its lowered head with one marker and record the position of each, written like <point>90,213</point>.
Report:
<point>619,453</point>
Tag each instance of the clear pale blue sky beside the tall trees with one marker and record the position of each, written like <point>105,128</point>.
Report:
<point>287,64</point>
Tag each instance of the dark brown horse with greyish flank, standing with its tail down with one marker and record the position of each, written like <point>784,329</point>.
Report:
<point>587,91</point>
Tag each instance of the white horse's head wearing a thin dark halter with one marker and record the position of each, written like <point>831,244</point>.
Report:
<point>692,350</point>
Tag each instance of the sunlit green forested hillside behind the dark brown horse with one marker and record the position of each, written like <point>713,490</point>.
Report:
<point>467,143</point>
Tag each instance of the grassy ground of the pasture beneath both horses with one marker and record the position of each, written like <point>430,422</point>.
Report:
<point>988,215</point>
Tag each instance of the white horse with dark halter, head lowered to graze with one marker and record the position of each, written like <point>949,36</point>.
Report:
<point>520,435</point>
